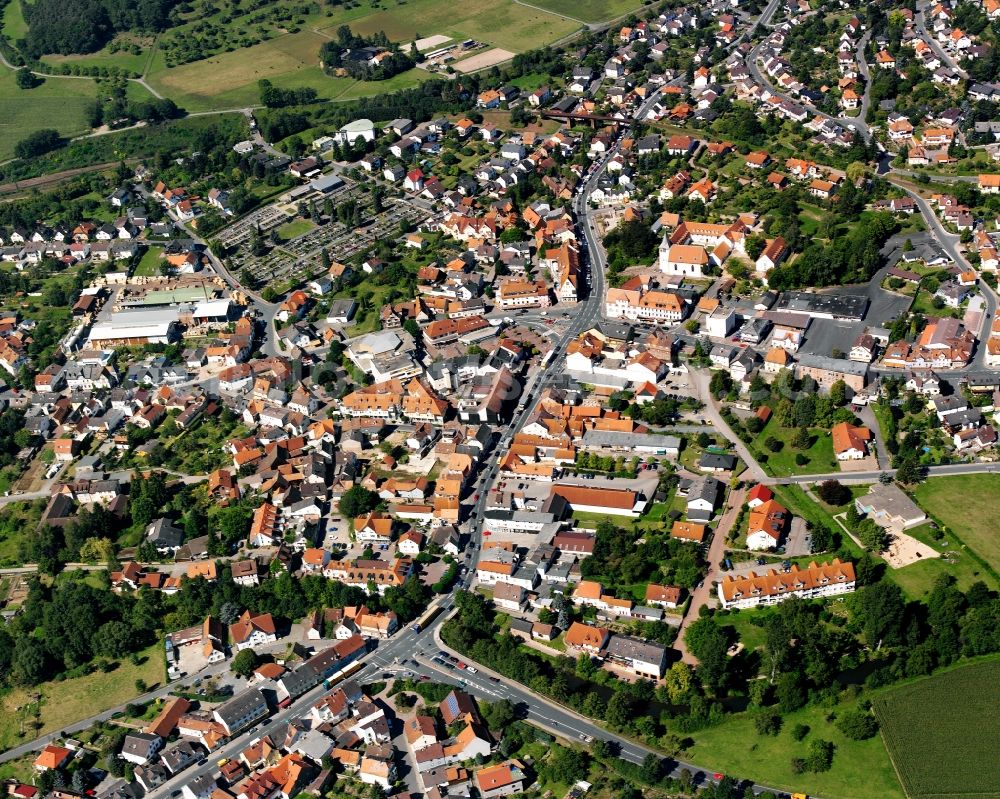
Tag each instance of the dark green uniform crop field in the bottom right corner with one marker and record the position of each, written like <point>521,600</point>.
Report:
<point>937,731</point>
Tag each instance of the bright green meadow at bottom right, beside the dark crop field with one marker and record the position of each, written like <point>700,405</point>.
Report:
<point>861,769</point>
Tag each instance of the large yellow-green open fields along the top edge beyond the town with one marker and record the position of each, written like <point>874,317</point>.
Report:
<point>288,54</point>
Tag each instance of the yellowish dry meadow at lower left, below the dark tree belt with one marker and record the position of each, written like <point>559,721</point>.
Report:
<point>71,700</point>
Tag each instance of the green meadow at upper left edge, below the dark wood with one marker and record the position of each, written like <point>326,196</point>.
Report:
<point>59,103</point>
